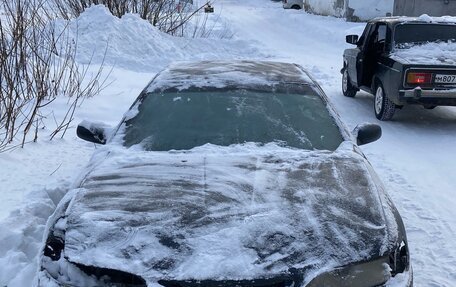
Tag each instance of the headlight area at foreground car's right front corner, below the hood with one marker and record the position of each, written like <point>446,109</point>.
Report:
<point>366,274</point>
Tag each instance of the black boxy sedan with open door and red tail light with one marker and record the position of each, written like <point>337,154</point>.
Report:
<point>383,59</point>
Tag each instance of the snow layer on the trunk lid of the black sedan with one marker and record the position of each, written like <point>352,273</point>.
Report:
<point>443,53</point>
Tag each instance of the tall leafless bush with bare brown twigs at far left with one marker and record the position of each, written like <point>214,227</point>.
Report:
<point>37,65</point>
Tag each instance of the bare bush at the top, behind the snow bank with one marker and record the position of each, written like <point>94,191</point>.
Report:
<point>169,16</point>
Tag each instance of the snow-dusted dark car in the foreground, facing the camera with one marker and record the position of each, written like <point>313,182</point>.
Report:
<point>227,173</point>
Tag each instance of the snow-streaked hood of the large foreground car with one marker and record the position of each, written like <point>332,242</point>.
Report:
<point>238,212</point>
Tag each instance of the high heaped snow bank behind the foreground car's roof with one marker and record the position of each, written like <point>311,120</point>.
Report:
<point>133,43</point>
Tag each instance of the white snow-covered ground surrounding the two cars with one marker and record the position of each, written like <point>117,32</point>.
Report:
<point>415,157</point>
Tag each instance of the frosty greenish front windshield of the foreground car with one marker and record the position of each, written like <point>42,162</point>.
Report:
<point>183,120</point>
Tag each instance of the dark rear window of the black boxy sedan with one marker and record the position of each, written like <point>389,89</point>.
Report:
<point>409,34</point>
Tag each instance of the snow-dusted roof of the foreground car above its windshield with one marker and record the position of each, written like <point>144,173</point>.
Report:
<point>228,74</point>
